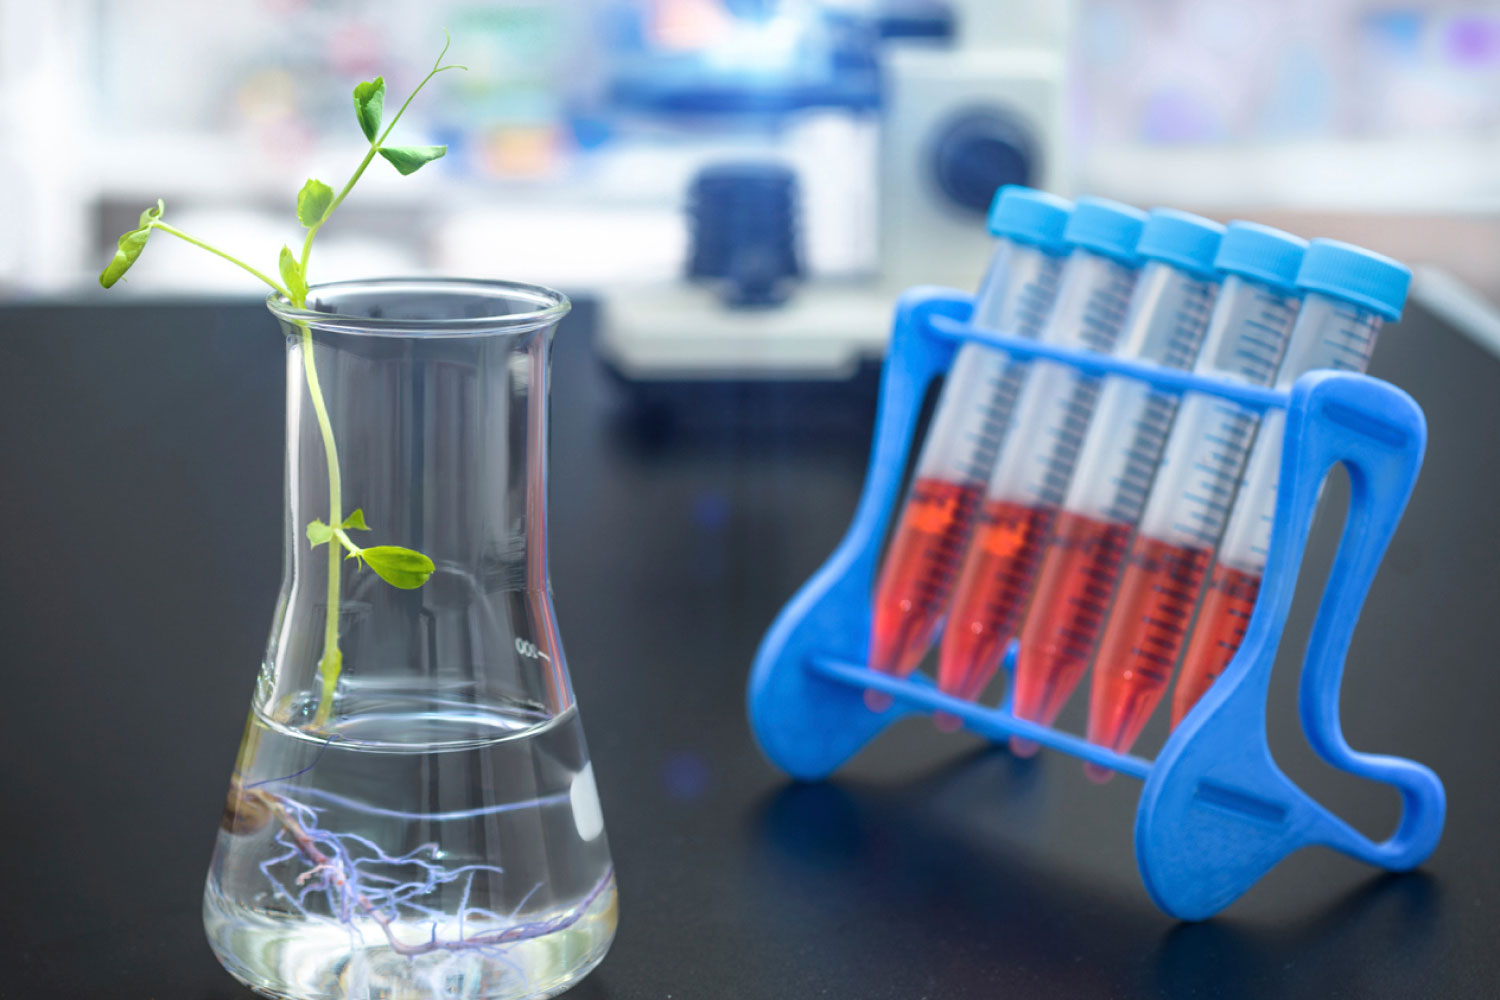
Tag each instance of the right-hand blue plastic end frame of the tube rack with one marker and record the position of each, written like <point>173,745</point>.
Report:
<point>1217,812</point>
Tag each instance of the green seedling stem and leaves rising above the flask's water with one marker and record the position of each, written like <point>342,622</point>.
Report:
<point>401,567</point>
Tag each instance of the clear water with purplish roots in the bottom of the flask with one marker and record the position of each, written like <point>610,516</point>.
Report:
<point>451,854</point>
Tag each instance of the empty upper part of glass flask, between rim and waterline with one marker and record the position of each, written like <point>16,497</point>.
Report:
<point>415,451</point>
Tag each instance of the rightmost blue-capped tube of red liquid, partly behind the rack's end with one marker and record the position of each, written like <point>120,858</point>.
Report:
<point>1351,292</point>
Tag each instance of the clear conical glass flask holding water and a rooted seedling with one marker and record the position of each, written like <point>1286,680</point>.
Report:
<point>413,812</point>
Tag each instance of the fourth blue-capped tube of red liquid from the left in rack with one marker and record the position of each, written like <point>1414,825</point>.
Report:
<point>1201,467</point>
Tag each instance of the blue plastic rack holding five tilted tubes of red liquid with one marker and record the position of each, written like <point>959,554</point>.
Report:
<point>1216,812</point>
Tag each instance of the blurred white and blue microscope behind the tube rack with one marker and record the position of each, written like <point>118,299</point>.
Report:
<point>850,152</point>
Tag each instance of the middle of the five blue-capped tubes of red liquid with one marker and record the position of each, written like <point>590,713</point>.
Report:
<point>1082,555</point>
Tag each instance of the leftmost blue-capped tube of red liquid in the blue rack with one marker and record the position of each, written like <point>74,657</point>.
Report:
<point>965,434</point>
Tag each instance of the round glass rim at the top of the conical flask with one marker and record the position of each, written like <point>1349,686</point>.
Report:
<point>500,308</point>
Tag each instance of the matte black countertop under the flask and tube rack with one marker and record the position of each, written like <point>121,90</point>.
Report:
<point>142,515</point>
